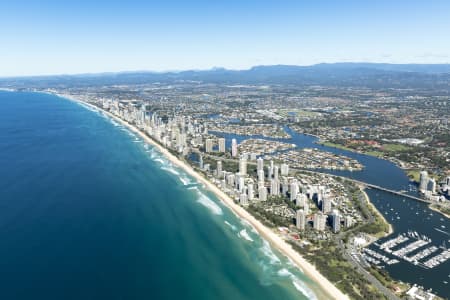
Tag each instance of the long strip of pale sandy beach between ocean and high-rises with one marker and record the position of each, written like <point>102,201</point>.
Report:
<point>268,234</point>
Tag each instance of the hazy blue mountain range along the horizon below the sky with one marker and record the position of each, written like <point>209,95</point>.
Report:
<point>375,75</point>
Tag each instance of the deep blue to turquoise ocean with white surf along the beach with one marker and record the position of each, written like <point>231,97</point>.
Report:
<point>88,211</point>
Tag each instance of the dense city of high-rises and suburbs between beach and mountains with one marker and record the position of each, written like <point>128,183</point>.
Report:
<point>235,135</point>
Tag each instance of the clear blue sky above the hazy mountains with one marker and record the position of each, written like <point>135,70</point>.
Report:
<point>56,37</point>
